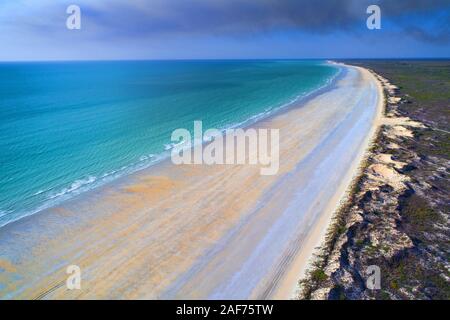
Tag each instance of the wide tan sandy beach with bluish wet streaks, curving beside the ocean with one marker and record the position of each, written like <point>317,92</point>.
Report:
<point>198,231</point>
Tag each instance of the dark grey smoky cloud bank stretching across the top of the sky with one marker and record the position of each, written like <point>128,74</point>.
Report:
<point>248,17</point>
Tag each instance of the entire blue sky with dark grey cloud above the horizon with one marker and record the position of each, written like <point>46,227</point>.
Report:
<point>223,29</point>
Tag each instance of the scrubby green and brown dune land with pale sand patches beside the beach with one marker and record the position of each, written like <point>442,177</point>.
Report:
<point>396,216</point>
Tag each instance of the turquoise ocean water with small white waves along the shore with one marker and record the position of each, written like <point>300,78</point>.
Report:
<point>67,127</point>
